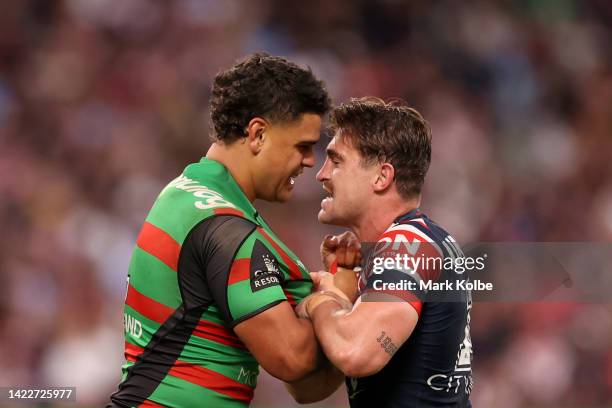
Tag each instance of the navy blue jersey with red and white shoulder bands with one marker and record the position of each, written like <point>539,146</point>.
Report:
<point>433,366</point>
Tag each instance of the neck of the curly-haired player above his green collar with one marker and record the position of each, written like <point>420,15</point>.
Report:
<point>231,156</point>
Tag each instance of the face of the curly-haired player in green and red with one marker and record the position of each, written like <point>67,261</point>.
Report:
<point>285,153</point>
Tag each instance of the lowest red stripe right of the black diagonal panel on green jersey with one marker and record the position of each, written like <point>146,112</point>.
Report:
<point>212,380</point>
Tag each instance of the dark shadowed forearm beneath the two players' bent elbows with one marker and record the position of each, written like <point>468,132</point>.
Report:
<point>317,386</point>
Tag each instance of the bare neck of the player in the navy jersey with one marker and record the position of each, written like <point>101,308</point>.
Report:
<point>374,222</point>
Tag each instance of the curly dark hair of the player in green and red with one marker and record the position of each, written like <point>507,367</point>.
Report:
<point>265,86</point>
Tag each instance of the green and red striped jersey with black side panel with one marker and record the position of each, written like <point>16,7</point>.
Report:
<point>204,261</point>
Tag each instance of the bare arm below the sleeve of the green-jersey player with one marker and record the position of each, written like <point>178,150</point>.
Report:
<point>284,345</point>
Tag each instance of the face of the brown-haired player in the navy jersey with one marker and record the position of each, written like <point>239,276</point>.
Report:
<point>348,182</point>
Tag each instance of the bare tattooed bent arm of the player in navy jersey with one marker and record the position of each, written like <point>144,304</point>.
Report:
<point>361,342</point>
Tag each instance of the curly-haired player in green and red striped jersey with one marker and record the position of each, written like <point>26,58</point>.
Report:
<point>211,288</point>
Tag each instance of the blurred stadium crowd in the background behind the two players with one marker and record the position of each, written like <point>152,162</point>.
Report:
<point>103,102</point>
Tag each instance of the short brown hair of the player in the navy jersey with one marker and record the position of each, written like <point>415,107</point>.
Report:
<point>388,132</point>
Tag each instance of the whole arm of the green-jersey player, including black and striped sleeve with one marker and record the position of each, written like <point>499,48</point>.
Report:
<point>233,255</point>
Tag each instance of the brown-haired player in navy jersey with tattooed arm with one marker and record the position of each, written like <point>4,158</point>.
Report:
<point>406,340</point>
